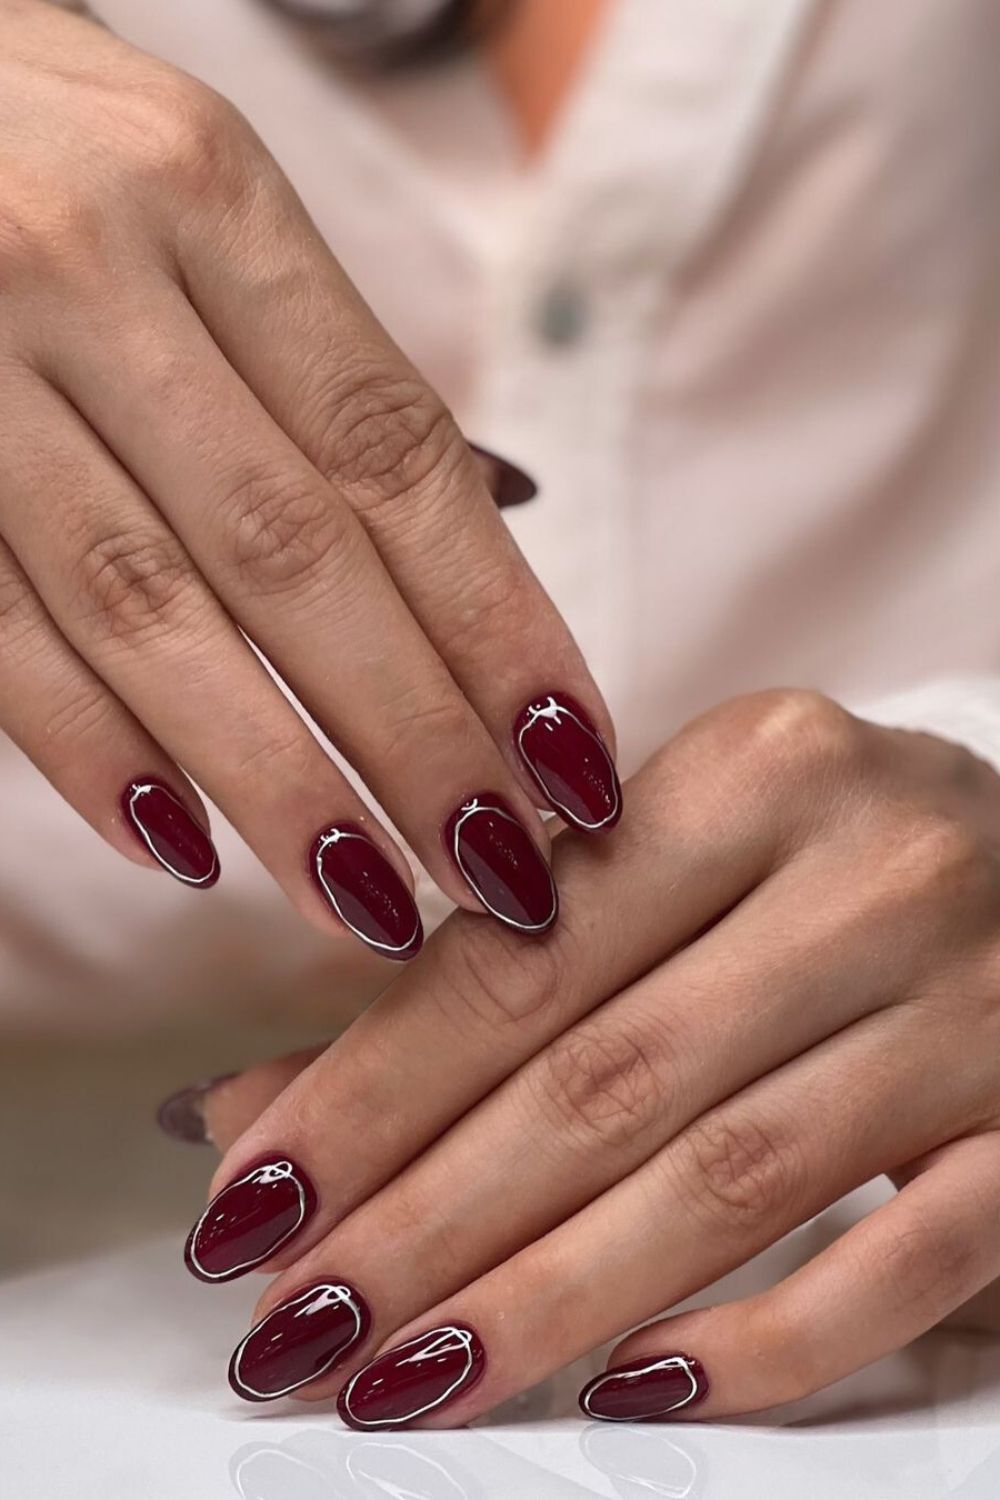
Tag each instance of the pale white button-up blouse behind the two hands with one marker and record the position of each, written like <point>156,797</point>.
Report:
<point>741,323</point>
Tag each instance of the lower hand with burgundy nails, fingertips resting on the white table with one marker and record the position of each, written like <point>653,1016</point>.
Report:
<point>780,980</point>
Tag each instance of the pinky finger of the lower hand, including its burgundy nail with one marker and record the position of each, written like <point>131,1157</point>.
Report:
<point>882,1285</point>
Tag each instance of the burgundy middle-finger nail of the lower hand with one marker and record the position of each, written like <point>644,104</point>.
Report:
<point>299,1342</point>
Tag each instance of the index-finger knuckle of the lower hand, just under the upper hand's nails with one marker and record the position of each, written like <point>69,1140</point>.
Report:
<point>501,991</point>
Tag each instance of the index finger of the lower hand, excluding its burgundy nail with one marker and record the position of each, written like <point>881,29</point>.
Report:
<point>479,1007</point>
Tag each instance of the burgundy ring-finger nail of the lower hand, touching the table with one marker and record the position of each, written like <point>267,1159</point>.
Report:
<point>415,1379</point>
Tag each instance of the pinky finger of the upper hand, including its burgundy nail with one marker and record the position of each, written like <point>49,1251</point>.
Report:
<point>91,748</point>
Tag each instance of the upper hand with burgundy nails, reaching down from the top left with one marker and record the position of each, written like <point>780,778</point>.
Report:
<point>208,440</point>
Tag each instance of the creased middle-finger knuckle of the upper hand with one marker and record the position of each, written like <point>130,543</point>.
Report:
<point>281,529</point>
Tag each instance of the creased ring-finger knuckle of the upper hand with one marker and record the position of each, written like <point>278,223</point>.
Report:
<point>130,586</point>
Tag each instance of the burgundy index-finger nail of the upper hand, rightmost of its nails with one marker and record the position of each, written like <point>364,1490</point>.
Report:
<point>561,748</point>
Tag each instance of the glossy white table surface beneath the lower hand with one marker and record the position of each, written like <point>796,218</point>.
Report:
<point>112,1388</point>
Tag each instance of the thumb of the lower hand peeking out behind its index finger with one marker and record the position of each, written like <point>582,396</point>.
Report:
<point>218,1111</point>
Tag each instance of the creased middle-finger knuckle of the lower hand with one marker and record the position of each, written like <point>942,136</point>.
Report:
<point>602,1085</point>
